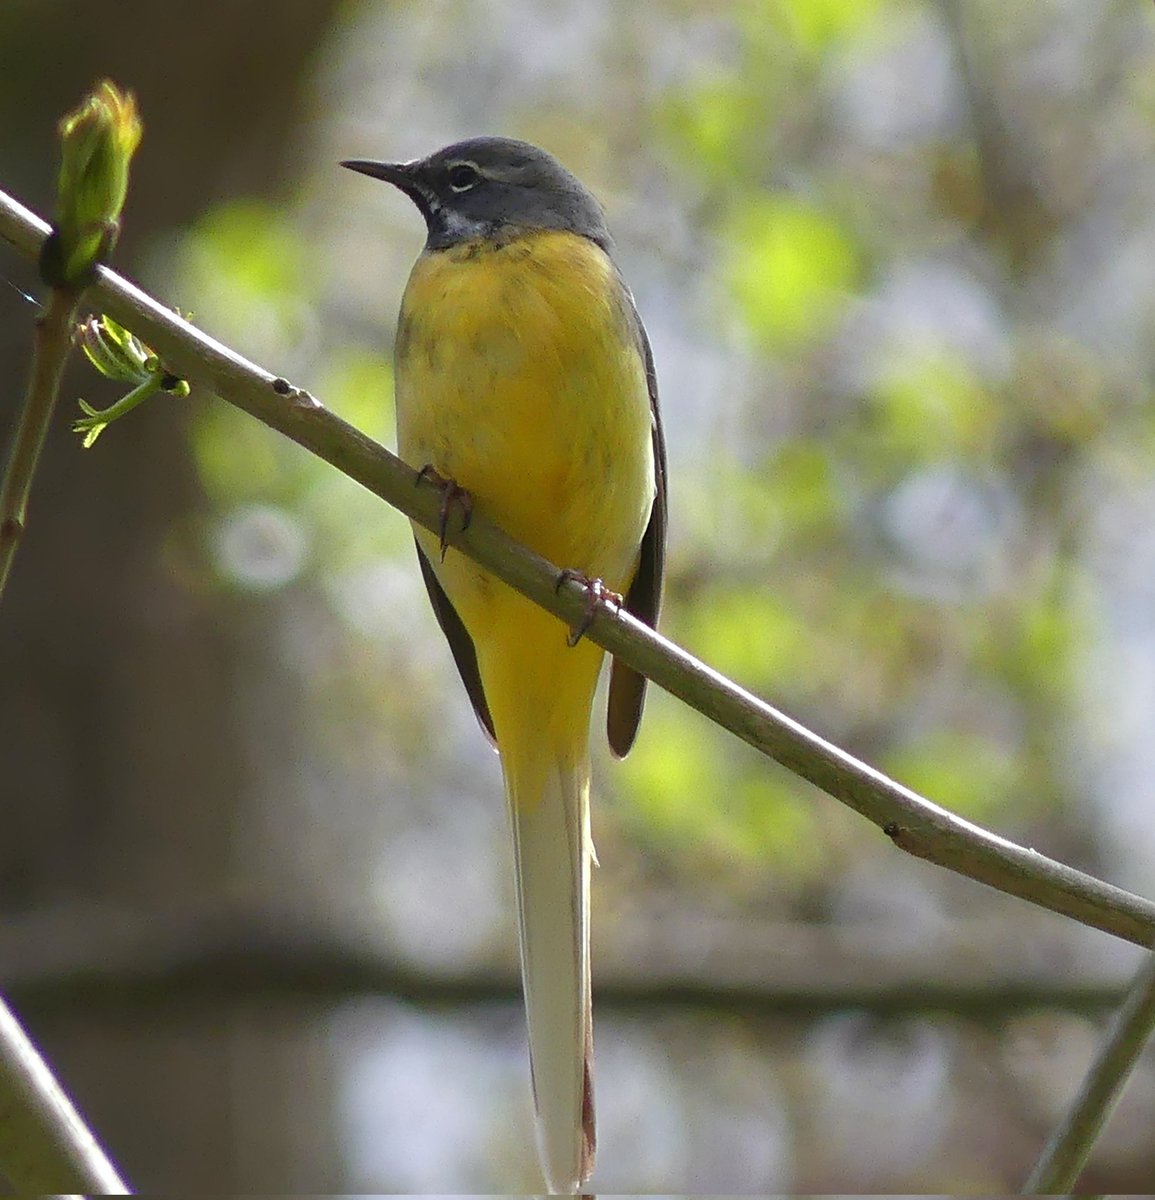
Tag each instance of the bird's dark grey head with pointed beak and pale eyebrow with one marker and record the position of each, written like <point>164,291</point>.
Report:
<point>488,187</point>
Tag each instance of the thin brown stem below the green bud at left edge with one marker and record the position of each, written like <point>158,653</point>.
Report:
<point>51,352</point>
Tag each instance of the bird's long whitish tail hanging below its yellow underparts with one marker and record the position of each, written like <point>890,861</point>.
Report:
<point>550,817</point>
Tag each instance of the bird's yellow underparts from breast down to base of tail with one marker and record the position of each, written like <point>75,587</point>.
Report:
<point>520,376</point>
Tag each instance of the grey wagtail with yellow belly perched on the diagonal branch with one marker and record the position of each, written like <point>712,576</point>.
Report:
<point>525,382</point>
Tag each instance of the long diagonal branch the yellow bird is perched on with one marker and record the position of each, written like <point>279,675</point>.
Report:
<point>912,823</point>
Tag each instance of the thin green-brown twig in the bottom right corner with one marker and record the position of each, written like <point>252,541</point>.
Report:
<point>1069,1148</point>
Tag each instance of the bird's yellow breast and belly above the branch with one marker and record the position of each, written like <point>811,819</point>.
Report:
<point>520,376</point>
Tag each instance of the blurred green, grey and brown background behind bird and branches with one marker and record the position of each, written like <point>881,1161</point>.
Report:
<point>897,261</point>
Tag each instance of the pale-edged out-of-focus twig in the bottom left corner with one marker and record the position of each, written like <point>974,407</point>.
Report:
<point>45,1147</point>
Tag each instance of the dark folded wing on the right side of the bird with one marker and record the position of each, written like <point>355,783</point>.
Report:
<point>644,599</point>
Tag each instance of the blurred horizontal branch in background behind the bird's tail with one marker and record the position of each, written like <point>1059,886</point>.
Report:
<point>104,957</point>
